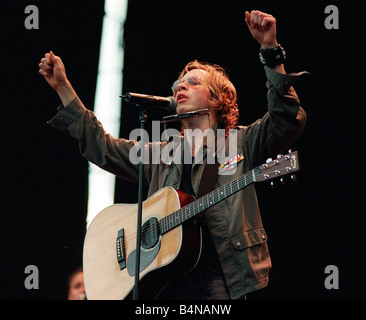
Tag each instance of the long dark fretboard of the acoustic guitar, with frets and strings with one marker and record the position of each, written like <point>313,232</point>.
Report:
<point>194,208</point>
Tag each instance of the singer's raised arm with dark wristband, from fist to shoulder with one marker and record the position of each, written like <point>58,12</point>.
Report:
<point>285,119</point>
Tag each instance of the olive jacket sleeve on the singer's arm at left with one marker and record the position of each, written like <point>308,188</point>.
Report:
<point>96,145</point>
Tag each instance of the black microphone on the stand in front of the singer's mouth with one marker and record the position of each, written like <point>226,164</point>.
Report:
<point>145,100</point>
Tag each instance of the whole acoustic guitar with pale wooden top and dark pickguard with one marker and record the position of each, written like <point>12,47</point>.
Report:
<point>170,239</point>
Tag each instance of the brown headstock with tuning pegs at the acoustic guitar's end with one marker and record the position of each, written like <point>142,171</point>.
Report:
<point>281,166</point>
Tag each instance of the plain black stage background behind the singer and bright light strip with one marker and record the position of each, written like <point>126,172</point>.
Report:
<point>315,222</point>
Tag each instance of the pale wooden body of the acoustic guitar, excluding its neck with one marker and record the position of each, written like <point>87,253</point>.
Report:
<point>175,253</point>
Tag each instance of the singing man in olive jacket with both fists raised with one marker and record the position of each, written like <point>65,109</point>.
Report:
<point>234,259</point>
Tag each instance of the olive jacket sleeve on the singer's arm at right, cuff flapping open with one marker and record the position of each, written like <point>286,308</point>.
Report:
<point>281,125</point>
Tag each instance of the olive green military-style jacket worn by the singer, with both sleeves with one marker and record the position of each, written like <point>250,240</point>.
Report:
<point>235,223</point>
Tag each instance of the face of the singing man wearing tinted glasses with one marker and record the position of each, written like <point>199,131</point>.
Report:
<point>192,95</point>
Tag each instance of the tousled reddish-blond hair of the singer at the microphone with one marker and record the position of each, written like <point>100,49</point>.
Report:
<point>222,92</point>
